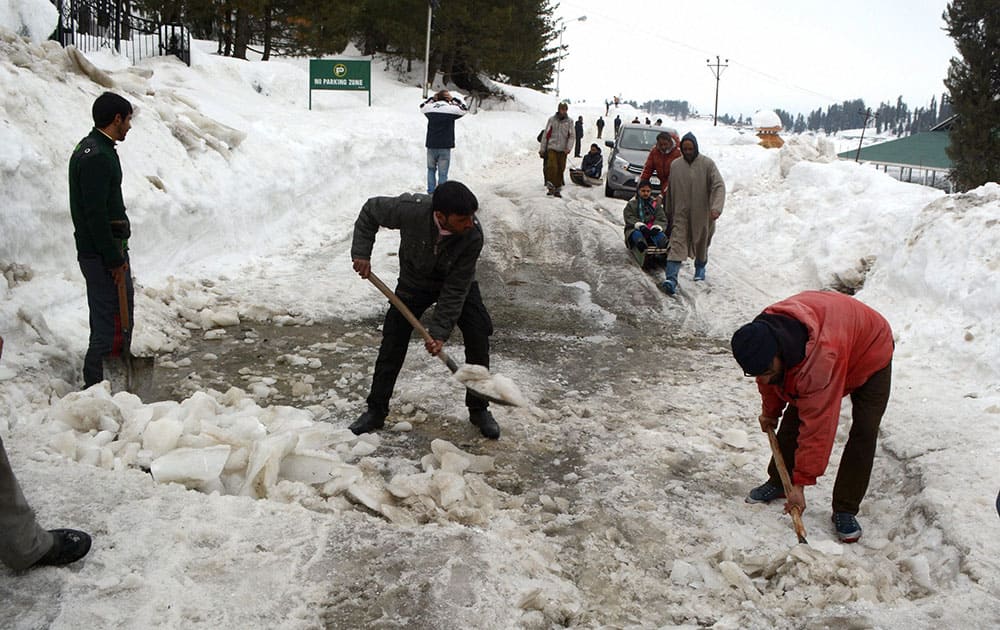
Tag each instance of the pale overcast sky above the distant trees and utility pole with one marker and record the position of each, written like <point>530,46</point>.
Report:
<point>797,55</point>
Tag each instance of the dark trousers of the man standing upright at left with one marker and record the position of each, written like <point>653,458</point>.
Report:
<point>106,335</point>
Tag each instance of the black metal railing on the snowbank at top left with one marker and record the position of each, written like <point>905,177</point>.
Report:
<point>92,25</point>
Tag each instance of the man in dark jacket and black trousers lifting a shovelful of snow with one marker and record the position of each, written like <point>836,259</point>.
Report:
<point>440,242</point>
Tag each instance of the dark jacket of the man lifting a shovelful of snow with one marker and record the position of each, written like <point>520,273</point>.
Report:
<point>446,266</point>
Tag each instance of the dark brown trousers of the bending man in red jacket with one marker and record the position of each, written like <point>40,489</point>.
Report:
<point>868,403</point>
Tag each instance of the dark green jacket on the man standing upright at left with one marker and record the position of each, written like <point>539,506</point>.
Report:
<point>95,199</point>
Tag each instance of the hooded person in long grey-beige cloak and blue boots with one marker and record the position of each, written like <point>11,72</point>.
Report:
<point>695,197</point>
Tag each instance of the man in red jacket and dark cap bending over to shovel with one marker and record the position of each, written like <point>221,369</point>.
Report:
<point>807,352</point>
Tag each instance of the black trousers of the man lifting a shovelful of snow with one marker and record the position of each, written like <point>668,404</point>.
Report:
<point>474,322</point>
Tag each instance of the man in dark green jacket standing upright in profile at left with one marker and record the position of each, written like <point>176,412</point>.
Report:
<point>101,229</point>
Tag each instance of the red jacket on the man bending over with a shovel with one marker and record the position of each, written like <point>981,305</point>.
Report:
<point>848,343</point>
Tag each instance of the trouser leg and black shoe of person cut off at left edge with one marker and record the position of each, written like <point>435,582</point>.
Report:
<point>23,543</point>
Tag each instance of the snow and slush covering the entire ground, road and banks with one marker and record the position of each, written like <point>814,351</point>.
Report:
<point>614,499</point>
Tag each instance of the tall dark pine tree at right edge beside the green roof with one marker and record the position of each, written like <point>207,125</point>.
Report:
<point>974,86</point>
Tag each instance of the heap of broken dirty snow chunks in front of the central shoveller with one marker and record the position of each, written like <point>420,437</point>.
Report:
<point>227,444</point>
